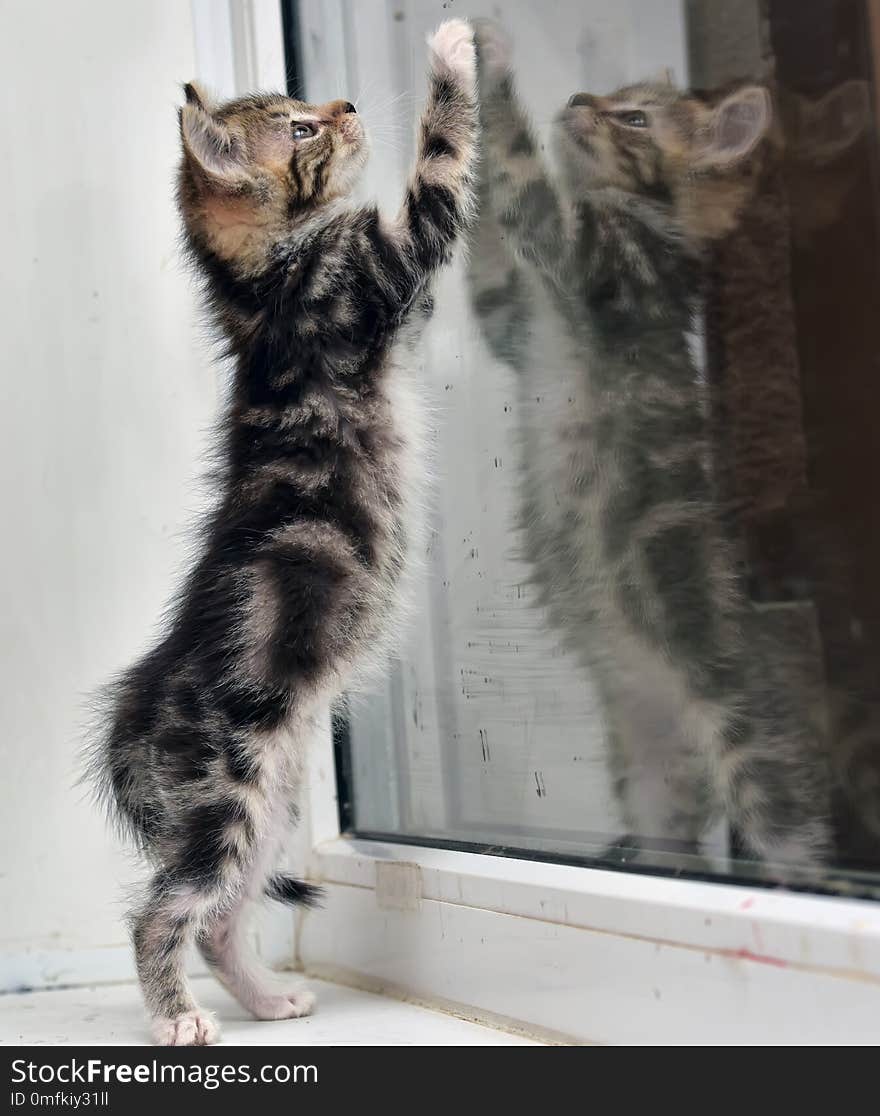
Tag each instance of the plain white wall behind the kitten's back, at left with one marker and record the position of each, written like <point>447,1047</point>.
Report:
<point>108,398</point>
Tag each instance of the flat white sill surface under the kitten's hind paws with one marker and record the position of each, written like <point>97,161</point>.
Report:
<point>112,1015</point>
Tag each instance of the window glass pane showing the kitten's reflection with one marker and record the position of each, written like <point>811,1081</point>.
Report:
<point>647,629</point>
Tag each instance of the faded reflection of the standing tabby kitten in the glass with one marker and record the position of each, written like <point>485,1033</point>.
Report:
<point>589,295</point>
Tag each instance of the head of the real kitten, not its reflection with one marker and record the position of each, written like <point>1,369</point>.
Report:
<point>255,167</point>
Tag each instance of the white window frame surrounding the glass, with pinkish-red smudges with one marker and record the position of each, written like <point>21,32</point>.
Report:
<point>577,955</point>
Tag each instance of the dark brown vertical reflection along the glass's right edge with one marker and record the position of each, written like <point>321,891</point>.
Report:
<point>839,367</point>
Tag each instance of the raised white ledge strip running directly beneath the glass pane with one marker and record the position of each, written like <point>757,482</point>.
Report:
<point>776,927</point>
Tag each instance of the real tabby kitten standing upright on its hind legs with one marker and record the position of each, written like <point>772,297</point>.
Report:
<point>302,562</point>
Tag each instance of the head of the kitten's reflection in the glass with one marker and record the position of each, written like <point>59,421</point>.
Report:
<point>655,141</point>
